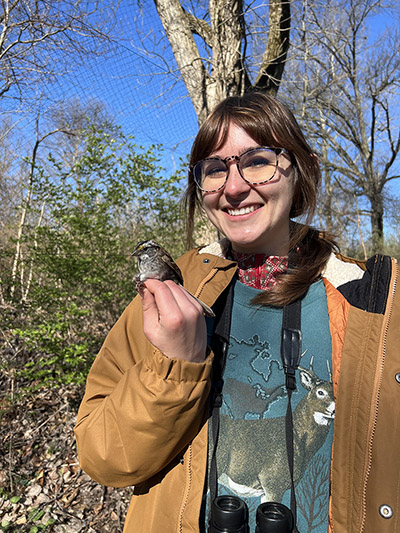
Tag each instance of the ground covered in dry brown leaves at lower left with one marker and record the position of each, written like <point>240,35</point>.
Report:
<point>42,487</point>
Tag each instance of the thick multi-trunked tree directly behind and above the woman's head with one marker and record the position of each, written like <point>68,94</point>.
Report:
<point>213,51</point>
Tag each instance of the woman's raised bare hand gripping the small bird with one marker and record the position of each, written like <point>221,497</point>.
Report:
<point>173,321</point>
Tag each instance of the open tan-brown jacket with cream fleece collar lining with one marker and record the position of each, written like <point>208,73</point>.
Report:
<point>143,419</point>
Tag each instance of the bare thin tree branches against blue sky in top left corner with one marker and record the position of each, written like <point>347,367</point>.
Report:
<point>41,40</point>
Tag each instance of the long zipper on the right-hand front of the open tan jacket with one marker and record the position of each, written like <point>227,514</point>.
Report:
<point>385,328</point>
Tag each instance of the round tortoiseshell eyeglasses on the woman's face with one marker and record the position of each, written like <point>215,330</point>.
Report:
<point>256,166</point>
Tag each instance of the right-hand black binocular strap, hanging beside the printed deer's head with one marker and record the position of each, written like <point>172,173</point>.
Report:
<point>291,353</point>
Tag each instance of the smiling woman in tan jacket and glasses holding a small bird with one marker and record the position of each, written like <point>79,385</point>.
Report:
<point>153,415</point>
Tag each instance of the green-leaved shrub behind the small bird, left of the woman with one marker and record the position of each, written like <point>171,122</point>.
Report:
<point>70,269</point>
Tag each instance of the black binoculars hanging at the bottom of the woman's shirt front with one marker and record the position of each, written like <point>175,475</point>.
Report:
<point>229,514</point>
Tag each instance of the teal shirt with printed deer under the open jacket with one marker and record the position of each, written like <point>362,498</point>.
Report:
<point>251,454</point>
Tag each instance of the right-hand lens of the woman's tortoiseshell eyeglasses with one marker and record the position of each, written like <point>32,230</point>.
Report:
<point>258,166</point>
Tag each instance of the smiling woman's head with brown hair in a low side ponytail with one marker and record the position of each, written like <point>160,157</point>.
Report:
<point>255,215</point>
